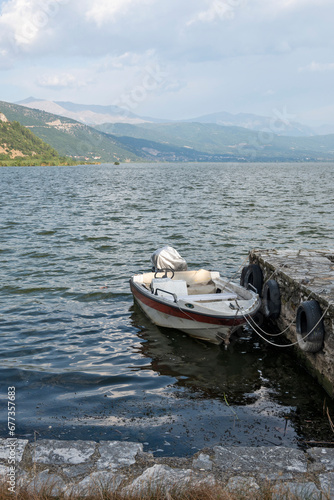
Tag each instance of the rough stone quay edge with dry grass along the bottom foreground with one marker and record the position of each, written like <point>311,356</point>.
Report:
<point>78,468</point>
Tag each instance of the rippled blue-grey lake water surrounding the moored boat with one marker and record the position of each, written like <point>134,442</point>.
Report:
<point>87,364</point>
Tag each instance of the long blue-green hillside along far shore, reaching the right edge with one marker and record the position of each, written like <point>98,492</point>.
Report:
<point>216,142</point>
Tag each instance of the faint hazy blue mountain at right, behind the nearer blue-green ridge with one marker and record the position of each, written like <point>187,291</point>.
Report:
<point>273,124</point>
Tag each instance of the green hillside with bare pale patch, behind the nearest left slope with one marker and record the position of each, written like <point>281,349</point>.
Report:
<point>68,137</point>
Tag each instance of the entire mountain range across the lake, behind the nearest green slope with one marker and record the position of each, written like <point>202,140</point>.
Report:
<point>163,141</point>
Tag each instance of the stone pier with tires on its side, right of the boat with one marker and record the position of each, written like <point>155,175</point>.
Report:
<point>303,275</point>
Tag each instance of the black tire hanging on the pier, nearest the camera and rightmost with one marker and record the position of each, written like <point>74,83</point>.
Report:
<point>308,319</point>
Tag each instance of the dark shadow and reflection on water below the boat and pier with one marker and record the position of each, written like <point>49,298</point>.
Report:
<point>264,387</point>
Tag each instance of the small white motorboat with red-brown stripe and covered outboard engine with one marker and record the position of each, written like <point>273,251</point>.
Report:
<point>200,303</point>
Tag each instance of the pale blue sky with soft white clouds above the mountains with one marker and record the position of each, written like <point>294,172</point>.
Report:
<point>174,59</point>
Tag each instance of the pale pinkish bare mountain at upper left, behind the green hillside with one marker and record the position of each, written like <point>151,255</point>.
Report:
<point>84,113</point>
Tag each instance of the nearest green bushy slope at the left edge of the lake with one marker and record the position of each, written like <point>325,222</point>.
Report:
<point>19,146</point>
